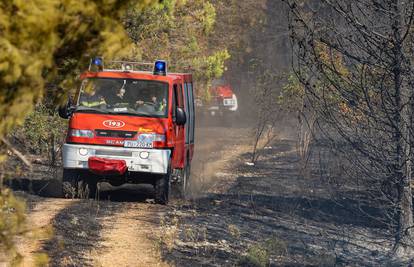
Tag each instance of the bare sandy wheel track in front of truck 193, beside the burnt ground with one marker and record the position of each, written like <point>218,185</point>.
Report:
<point>128,238</point>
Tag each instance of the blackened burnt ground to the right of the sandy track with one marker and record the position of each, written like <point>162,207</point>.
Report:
<point>273,214</point>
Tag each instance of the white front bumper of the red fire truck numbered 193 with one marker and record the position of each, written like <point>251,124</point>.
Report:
<point>76,157</point>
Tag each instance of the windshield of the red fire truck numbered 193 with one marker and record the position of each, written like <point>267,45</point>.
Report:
<point>124,96</point>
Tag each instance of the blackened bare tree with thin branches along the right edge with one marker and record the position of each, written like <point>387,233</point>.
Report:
<point>355,61</point>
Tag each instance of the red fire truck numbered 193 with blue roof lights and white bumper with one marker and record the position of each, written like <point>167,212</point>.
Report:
<point>127,125</point>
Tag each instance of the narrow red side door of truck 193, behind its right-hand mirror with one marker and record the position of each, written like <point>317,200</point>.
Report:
<point>179,131</point>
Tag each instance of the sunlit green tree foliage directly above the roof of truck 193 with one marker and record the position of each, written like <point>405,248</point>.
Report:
<point>178,31</point>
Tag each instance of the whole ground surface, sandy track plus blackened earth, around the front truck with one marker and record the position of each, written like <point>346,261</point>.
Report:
<point>239,215</point>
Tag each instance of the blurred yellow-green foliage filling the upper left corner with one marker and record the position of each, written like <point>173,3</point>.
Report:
<point>36,35</point>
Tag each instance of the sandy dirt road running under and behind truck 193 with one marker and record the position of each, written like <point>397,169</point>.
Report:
<point>123,228</point>
